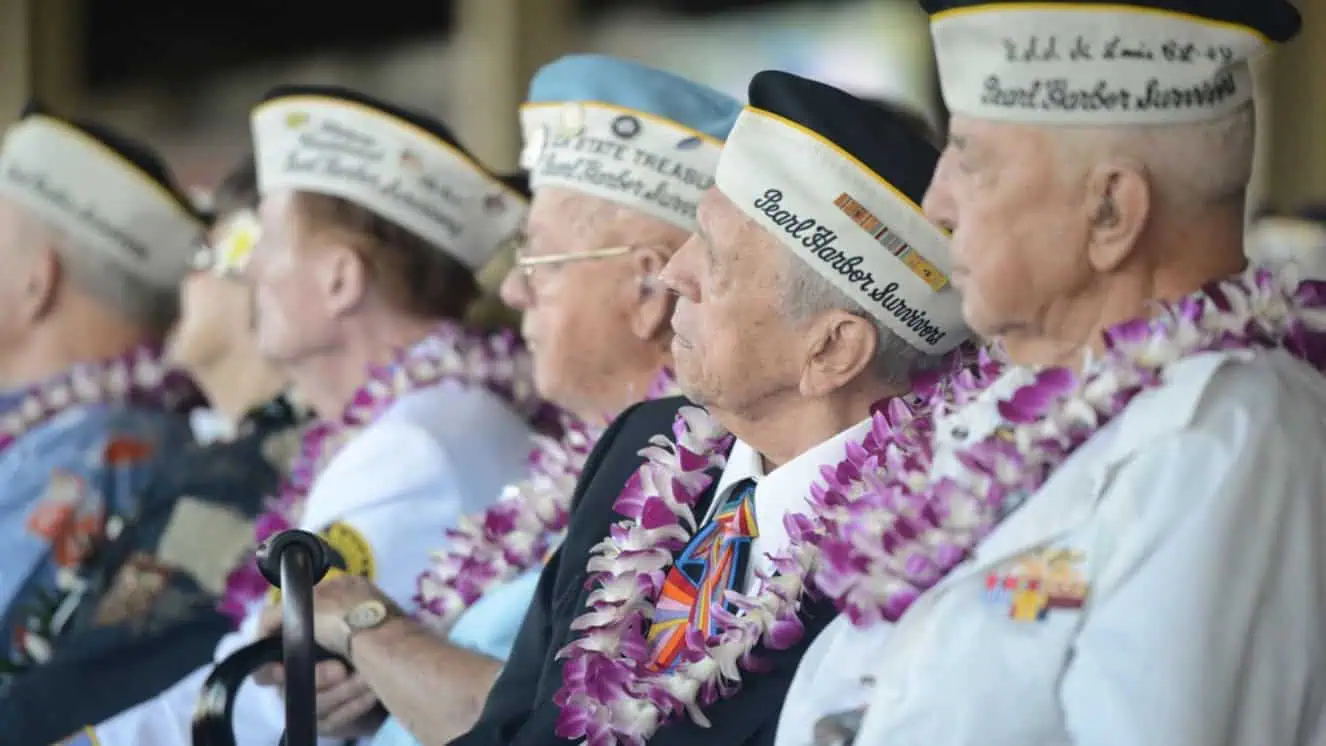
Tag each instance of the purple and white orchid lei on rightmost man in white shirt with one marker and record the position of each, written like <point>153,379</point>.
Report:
<point>900,525</point>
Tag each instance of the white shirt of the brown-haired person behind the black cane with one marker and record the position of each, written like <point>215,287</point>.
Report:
<point>437,455</point>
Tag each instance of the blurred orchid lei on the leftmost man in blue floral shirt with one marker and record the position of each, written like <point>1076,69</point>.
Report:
<point>139,377</point>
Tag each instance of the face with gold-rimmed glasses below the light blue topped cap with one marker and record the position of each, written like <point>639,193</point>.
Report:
<point>579,308</point>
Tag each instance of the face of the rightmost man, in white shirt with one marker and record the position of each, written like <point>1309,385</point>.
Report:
<point>1019,226</point>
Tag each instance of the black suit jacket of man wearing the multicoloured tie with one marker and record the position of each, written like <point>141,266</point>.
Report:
<point>520,710</point>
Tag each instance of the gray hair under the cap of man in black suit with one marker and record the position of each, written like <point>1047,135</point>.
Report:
<point>807,293</point>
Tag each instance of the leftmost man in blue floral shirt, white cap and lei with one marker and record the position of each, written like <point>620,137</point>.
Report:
<point>95,239</point>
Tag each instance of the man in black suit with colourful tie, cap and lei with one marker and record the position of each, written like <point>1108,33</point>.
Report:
<point>812,293</point>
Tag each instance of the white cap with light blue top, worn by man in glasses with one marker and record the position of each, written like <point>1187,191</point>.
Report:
<point>625,132</point>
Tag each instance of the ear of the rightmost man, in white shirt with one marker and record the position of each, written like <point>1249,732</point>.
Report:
<point>1120,202</point>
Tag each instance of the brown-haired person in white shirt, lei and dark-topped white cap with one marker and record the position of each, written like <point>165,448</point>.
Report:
<point>372,225</point>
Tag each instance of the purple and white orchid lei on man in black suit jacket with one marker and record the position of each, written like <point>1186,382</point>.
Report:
<point>611,694</point>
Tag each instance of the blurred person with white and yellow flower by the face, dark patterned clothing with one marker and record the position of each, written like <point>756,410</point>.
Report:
<point>151,615</point>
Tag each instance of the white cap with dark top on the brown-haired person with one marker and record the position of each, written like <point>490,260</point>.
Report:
<point>396,162</point>
